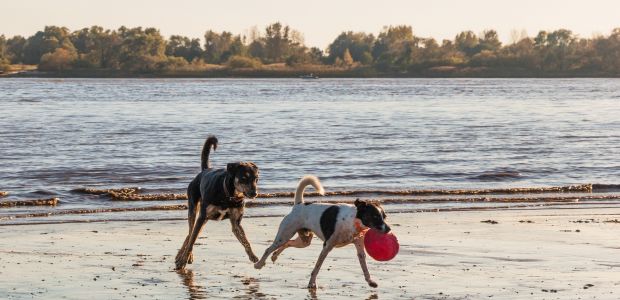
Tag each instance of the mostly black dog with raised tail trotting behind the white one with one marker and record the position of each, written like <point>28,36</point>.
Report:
<point>217,194</point>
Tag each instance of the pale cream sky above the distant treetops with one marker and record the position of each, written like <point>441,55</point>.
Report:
<point>319,20</point>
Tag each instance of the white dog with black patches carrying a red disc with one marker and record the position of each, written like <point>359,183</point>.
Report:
<point>336,224</point>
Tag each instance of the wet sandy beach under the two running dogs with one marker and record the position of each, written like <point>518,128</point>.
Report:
<point>522,254</point>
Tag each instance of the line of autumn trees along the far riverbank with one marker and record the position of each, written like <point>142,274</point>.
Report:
<point>395,50</point>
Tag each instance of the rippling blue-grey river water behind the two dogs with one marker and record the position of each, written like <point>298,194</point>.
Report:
<point>57,135</point>
